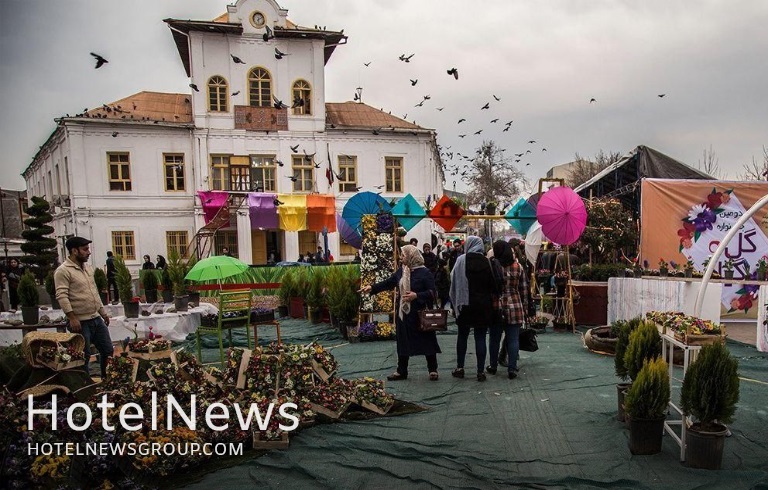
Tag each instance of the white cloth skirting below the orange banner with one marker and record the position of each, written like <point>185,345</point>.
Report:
<point>629,297</point>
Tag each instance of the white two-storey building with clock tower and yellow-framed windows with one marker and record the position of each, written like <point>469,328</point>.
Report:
<point>126,174</point>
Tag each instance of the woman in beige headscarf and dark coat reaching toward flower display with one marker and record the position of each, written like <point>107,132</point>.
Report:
<point>415,291</point>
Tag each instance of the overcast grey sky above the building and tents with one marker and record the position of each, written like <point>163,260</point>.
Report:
<point>544,60</point>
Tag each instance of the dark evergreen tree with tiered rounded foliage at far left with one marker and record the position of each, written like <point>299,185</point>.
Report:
<point>40,249</point>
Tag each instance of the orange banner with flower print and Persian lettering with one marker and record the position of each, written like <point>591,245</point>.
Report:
<point>685,220</point>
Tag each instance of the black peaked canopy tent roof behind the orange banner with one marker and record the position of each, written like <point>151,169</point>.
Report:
<point>621,180</point>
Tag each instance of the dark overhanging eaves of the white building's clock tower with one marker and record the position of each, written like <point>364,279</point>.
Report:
<point>180,29</point>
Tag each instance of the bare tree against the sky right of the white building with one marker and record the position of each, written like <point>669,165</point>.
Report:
<point>493,177</point>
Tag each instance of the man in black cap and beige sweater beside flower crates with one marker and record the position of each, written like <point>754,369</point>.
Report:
<point>79,299</point>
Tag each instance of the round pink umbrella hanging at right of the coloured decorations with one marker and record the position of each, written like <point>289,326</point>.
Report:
<point>562,215</point>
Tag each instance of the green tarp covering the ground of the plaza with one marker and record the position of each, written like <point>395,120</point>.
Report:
<point>552,427</point>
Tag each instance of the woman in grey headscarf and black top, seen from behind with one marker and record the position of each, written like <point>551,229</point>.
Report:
<point>472,290</point>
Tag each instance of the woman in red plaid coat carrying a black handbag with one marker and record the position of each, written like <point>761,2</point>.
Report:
<point>511,306</point>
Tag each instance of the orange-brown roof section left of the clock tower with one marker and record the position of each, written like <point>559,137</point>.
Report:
<point>147,106</point>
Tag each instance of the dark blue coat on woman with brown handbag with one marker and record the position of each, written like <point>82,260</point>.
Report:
<point>411,342</point>
